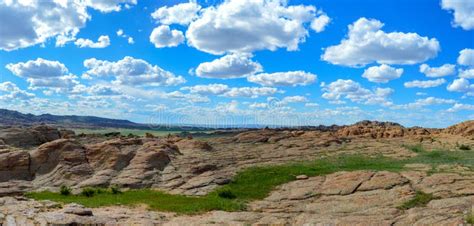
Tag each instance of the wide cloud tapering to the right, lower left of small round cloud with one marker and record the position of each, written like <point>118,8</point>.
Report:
<point>131,71</point>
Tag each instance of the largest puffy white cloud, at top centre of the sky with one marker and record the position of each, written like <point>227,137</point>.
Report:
<point>248,25</point>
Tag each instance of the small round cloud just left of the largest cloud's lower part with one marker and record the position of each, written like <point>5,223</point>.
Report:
<point>163,36</point>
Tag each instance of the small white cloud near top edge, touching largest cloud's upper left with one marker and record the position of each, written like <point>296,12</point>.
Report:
<point>182,13</point>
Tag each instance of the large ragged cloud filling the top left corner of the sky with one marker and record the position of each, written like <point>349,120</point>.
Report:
<point>27,23</point>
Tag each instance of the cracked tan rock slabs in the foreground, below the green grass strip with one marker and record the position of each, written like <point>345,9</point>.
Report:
<point>296,203</point>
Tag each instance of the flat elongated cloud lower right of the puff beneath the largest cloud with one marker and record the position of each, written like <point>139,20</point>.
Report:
<point>290,78</point>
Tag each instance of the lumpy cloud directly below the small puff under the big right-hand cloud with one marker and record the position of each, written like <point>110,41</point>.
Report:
<point>348,89</point>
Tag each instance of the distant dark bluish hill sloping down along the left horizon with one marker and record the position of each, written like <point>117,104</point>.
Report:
<point>9,118</point>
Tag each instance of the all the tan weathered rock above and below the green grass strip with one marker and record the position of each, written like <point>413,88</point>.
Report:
<point>197,166</point>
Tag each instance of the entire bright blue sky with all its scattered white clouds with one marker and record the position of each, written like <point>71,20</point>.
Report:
<point>267,62</point>
